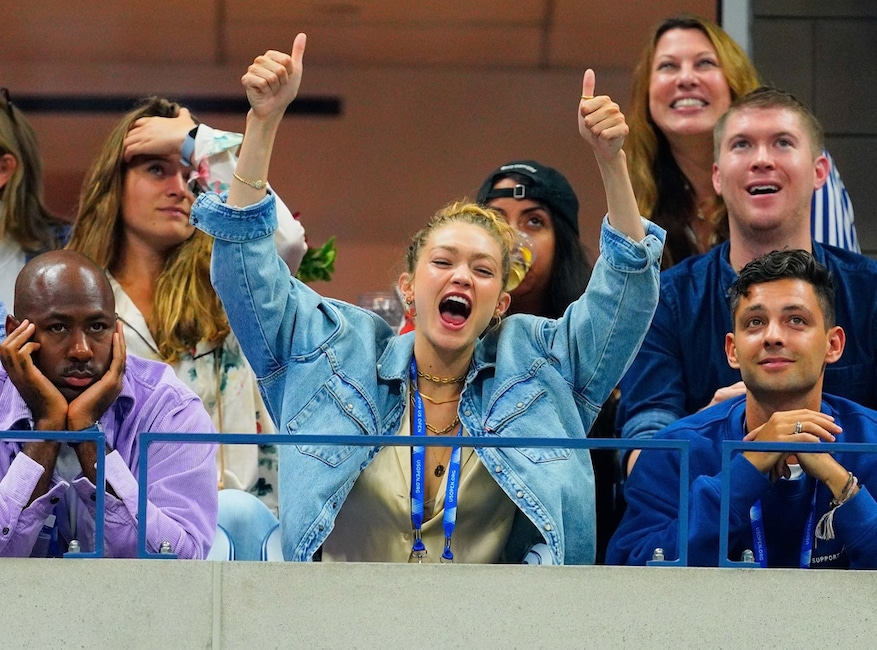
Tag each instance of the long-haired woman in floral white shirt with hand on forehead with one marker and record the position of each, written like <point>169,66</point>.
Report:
<point>134,222</point>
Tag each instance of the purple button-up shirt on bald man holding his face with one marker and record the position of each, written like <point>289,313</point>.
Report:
<point>182,492</point>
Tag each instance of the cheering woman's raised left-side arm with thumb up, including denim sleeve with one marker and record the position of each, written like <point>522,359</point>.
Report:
<point>263,306</point>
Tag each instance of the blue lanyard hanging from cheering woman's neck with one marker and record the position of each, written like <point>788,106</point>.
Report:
<point>418,463</point>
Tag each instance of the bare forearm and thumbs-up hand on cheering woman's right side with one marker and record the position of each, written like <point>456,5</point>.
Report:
<point>602,125</point>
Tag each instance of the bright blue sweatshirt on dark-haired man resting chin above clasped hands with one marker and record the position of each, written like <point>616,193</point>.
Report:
<point>652,493</point>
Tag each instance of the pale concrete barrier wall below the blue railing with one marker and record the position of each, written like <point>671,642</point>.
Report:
<point>176,604</point>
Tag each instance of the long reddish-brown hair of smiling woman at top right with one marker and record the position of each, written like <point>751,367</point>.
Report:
<point>663,193</point>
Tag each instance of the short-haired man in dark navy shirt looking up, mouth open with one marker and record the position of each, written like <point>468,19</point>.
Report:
<point>768,160</point>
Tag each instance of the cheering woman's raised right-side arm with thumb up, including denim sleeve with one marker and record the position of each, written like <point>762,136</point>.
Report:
<point>598,335</point>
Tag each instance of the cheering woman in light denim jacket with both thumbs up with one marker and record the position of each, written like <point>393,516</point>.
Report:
<point>326,366</point>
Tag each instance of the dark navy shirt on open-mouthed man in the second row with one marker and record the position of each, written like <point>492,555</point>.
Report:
<point>682,361</point>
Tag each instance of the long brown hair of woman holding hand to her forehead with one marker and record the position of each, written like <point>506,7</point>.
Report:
<point>185,309</point>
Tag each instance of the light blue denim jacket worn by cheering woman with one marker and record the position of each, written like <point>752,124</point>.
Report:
<point>325,366</point>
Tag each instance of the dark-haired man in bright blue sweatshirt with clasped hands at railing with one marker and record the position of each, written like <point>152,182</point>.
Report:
<point>802,510</point>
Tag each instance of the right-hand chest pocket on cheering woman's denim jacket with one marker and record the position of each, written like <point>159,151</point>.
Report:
<point>530,399</point>
